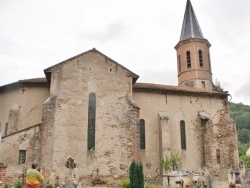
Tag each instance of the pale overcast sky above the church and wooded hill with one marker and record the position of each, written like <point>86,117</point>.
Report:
<point>139,34</point>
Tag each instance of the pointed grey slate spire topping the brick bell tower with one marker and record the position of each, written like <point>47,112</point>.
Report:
<point>190,26</point>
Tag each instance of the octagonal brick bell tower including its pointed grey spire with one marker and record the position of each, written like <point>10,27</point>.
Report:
<point>193,56</point>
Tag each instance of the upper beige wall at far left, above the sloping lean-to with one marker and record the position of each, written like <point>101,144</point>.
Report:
<point>21,108</point>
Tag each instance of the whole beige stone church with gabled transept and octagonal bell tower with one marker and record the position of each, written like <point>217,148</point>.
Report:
<point>91,109</point>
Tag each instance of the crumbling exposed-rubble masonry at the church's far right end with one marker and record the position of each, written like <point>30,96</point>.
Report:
<point>224,140</point>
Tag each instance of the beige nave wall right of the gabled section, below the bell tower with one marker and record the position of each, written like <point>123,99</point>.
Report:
<point>203,136</point>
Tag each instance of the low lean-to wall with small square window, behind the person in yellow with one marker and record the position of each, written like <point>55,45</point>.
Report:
<point>26,139</point>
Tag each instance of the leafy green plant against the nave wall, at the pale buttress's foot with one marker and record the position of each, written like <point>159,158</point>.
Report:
<point>171,161</point>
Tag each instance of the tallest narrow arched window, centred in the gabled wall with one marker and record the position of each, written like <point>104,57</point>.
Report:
<point>91,121</point>
